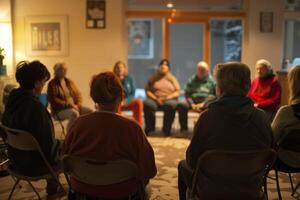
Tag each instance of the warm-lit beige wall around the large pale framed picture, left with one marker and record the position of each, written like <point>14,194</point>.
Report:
<point>90,50</point>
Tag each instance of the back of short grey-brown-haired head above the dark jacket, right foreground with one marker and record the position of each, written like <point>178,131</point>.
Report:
<point>233,78</point>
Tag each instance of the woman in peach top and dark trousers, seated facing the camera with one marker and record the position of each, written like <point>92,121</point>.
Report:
<point>162,91</point>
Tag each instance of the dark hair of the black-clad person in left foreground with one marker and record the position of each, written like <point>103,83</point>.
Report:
<point>28,73</point>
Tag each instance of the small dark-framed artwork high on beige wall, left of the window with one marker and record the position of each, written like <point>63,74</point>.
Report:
<point>95,14</point>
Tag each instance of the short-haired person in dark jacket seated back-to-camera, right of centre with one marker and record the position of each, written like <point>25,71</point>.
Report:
<point>230,123</point>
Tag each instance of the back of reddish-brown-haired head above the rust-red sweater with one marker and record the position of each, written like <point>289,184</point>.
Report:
<point>106,88</point>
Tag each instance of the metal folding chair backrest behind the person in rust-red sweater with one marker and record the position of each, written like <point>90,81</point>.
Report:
<point>97,172</point>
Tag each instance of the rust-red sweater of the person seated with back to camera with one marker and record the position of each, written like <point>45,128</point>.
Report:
<point>109,136</point>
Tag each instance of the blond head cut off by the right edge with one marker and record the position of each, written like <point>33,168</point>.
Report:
<point>294,84</point>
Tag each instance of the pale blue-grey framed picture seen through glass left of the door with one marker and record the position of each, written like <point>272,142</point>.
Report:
<point>140,39</point>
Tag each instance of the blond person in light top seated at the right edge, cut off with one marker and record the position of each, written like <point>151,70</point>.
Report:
<point>288,117</point>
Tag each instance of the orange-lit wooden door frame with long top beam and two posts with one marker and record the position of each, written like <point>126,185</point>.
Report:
<point>174,16</point>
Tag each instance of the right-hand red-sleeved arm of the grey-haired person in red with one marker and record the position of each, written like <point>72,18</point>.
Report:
<point>274,98</point>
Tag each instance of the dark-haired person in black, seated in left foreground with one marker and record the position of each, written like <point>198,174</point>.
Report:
<point>24,111</point>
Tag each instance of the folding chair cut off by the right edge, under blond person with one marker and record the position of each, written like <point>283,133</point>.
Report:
<point>290,142</point>
